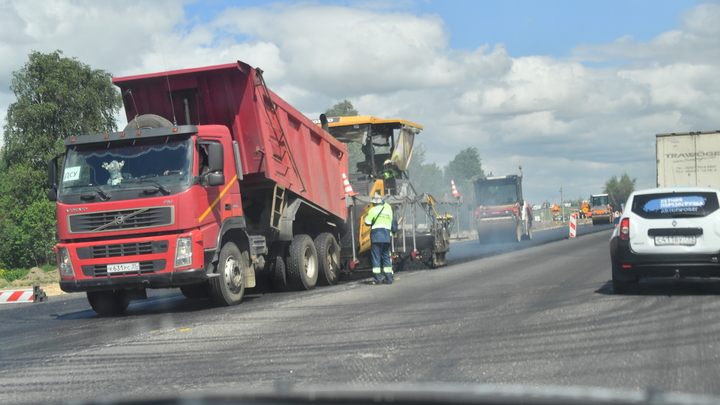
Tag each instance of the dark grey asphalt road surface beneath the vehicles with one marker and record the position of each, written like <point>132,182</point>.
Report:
<point>542,314</point>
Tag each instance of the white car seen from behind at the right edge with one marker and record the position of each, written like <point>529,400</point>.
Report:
<point>666,232</point>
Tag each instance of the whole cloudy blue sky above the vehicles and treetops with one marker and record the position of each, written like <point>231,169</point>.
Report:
<point>574,91</point>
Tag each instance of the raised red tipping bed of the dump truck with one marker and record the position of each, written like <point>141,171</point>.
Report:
<point>278,145</point>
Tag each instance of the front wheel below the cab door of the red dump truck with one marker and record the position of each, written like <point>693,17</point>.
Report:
<point>228,288</point>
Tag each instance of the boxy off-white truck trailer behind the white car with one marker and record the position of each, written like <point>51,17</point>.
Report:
<point>688,159</point>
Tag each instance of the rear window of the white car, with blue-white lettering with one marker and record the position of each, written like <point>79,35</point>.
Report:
<point>673,205</point>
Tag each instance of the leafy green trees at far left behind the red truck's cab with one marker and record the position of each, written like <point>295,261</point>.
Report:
<point>56,97</point>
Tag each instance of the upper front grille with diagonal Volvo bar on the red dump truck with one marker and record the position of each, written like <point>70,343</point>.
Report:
<point>108,221</point>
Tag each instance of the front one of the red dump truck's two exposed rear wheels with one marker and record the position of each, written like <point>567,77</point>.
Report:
<point>302,263</point>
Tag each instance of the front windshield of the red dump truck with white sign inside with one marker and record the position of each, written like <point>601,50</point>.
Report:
<point>108,169</point>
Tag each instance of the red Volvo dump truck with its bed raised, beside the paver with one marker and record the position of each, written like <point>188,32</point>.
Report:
<point>214,180</point>
